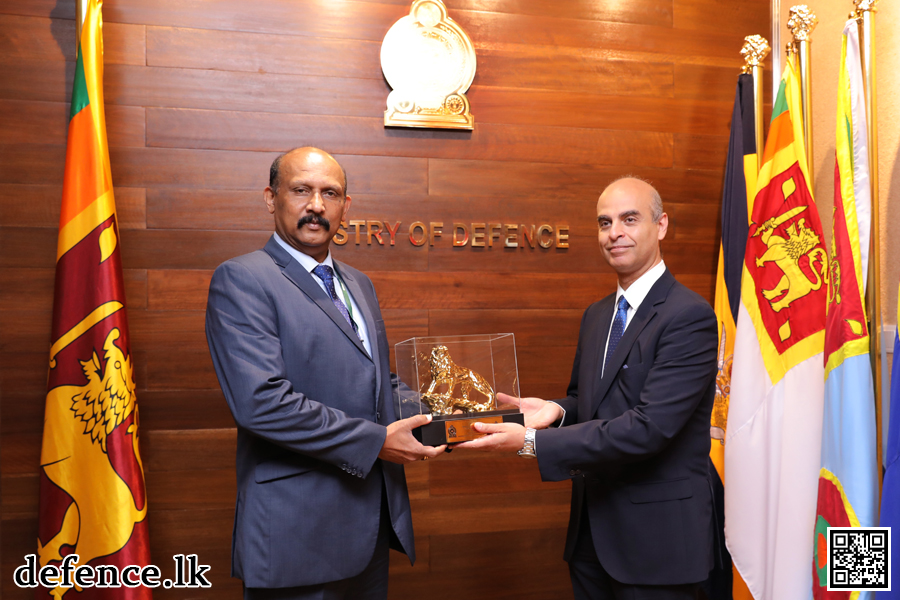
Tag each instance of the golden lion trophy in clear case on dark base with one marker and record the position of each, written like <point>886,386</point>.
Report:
<point>455,378</point>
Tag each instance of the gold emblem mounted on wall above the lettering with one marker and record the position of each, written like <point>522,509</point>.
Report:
<point>429,61</point>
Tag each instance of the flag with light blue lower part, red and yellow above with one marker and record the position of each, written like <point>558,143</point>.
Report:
<point>848,479</point>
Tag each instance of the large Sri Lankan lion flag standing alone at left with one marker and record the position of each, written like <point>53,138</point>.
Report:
<point>93,500</point>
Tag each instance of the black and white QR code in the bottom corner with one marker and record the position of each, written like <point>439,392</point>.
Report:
<point>859,558</point>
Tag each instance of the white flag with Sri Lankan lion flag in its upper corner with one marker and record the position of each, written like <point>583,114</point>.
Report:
<point>772,445</point>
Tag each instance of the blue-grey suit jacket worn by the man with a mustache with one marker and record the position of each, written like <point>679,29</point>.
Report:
<point>311,408</point>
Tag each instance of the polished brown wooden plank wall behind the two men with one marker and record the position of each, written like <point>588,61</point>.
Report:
<point>201,96</point>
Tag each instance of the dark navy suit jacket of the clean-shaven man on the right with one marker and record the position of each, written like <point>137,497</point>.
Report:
<point>636,441</point>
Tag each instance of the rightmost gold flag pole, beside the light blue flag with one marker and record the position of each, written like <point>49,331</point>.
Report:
<point>865,13</point>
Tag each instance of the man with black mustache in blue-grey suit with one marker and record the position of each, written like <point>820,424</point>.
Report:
<point>300,350</point>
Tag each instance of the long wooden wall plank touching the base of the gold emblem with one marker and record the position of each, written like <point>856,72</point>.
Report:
<point>262,132</point>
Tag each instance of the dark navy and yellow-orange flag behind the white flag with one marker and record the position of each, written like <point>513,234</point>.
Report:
<point>739,185</point>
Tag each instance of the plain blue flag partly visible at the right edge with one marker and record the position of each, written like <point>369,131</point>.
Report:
<point>890,487</point>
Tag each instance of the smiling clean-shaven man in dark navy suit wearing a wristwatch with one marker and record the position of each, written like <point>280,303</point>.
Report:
<point>634,434</point>
